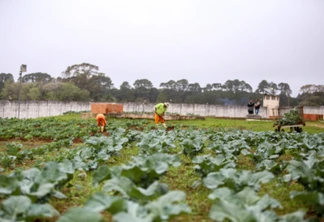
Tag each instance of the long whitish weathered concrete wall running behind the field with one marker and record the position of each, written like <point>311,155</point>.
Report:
<point>34,109</point>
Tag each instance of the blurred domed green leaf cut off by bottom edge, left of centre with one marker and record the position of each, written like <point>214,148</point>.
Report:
<point>80,215</point>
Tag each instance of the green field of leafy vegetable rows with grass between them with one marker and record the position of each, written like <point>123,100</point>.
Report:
<point>63,169</point>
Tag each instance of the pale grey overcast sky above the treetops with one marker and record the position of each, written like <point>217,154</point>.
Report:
<point>204,41</point>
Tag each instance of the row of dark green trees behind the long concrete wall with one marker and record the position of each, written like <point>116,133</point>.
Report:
<point>84,82</point>
